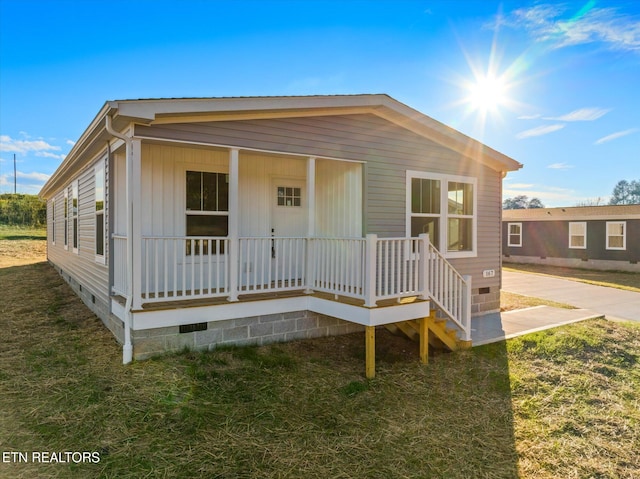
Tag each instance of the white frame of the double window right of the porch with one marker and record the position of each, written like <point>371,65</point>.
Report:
<point>444,215</point>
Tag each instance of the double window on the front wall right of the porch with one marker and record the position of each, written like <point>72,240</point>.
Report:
<point>445,208</point>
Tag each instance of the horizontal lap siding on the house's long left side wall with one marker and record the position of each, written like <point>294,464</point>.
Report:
<point>87,277</point>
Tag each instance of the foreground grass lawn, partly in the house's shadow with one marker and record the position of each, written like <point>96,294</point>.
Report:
<point>558,403</point>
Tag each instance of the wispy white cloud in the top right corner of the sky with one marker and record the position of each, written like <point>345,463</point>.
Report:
<point>553,24</point>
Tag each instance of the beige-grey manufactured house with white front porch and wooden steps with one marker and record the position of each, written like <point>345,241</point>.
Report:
<point>207,221</point>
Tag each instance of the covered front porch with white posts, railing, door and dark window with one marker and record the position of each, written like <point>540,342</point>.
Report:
<point>234,228</point>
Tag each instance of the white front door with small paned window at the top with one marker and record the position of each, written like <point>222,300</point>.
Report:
<point>288,228</point>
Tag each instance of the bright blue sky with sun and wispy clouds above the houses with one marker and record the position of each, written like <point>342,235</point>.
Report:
<point>554,85</point>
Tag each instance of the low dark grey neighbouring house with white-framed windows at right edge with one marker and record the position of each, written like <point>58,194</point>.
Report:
<point>594,237</point>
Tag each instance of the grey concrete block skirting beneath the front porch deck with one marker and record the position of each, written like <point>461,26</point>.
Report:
<point>258,330</point>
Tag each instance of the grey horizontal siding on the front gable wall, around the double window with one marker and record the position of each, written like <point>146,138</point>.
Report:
<point>389,151</point>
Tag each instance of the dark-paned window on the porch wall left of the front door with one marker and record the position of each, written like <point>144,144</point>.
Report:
<point>207,202</point>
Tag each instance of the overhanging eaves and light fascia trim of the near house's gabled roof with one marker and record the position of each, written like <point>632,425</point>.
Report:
<point>184,110</point>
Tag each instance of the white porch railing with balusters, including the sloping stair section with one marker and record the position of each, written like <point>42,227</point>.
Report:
<point>371,269</point>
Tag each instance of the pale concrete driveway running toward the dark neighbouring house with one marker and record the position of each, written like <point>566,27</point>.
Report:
<point>613,303</point>
